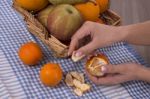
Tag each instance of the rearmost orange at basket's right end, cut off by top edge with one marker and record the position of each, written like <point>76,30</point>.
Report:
<point>103,4</point>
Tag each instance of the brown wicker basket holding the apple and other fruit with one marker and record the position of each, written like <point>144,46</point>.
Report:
<point>59,49</point>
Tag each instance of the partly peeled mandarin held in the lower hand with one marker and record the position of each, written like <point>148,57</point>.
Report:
<point>93,65</point>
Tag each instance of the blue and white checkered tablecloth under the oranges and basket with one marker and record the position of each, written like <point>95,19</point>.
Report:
<point>18,81</point>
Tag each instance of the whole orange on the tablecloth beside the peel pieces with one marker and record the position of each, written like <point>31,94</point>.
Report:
<point>51,74</point>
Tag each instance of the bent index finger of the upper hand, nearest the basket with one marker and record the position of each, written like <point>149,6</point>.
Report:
<point>81,33</point>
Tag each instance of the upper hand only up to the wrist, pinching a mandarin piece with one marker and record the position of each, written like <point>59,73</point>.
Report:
<point>101,35</point>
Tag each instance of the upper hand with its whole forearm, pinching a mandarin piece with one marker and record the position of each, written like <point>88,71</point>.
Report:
<point>104,35</point>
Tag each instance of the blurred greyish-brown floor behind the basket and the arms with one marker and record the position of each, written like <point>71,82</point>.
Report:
<point>134,11</point>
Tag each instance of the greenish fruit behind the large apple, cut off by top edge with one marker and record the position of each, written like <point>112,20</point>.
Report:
<point>56,2</point>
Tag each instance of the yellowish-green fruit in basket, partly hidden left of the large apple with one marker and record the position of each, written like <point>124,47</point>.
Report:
<point>43,15</point>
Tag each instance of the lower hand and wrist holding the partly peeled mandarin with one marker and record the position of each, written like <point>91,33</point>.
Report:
<point>116,74</point>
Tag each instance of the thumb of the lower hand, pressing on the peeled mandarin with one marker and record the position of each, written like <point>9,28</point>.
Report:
<point>113,69</point>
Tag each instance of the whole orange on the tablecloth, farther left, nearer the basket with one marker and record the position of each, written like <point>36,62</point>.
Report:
<point>30,53</point>
